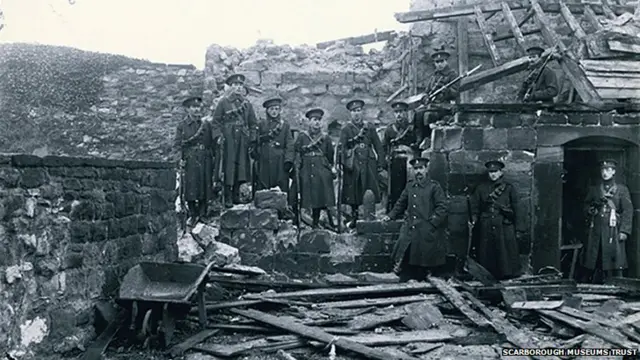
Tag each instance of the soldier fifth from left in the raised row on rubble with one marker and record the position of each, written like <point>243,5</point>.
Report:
<point>361,159</point>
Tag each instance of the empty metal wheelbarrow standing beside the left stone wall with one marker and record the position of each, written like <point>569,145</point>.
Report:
<point>158,294</point>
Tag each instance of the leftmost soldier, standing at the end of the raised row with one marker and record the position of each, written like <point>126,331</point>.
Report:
<point>193,147</point>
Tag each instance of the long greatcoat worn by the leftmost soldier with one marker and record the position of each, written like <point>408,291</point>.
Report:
<point>194,142</point>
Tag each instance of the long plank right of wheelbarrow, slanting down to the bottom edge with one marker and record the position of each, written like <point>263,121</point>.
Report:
<point>315,334</point>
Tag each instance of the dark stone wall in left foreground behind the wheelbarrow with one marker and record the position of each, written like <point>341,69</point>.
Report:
<point>70,228</point>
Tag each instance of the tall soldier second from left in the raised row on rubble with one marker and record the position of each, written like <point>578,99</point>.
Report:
<point>236,119</point>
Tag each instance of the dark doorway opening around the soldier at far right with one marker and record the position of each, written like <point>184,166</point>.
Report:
<point>581,171</point>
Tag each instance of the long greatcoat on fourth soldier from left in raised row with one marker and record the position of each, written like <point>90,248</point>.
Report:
<point>316,177</point>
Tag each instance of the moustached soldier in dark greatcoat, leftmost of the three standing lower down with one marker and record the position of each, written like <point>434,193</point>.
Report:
<point>422,246</point>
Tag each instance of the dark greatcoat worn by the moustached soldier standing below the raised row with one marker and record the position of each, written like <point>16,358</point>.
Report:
<point>423,232</point>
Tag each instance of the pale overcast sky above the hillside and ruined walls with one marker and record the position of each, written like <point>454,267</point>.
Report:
<point>179,31</point>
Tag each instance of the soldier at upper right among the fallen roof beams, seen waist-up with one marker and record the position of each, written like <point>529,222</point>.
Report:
<point>541,84</point>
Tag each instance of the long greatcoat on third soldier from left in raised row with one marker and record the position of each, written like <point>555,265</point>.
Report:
<point>274,150</point>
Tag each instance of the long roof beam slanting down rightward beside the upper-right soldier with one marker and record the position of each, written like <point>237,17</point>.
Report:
<point>572,70</point>
